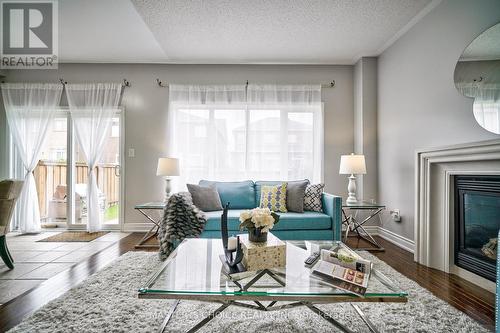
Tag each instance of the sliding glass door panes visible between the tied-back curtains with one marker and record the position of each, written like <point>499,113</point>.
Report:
<point>62,172</point>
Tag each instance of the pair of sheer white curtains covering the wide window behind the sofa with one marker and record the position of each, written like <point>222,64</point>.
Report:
<point>247,132</point>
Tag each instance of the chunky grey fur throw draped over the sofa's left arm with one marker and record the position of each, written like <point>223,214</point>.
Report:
<point>181,219</point>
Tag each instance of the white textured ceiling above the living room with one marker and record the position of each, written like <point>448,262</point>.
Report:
<point>233,31</point>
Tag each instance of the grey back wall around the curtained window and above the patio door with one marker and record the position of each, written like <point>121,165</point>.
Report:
<point>146,111</point>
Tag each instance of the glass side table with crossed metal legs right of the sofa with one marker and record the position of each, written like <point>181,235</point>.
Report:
<point>353,225</point>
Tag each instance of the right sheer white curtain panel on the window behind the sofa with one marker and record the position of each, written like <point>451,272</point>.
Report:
<point>293,116</point>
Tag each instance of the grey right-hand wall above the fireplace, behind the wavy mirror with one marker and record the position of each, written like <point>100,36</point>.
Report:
<point>418,105</point>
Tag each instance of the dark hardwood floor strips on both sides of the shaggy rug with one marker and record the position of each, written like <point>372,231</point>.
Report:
<point>476,302</point>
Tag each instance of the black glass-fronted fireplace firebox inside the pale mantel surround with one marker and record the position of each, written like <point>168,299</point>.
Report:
<point>477,221</point>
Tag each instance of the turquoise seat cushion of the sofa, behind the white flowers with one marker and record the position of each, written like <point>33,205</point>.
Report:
<point>288,221</point>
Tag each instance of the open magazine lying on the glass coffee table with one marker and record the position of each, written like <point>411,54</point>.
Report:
<point>343,268</point>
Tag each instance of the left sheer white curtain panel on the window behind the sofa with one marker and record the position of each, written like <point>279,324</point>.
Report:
<point>201,138</point>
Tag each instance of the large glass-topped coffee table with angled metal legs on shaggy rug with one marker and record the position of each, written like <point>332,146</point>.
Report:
<point>195,272</point>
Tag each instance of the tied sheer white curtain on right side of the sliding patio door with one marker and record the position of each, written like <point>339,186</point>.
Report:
<point>92,108</point>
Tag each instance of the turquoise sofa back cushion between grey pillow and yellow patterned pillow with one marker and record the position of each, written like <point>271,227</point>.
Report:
<point>240,195</point>
